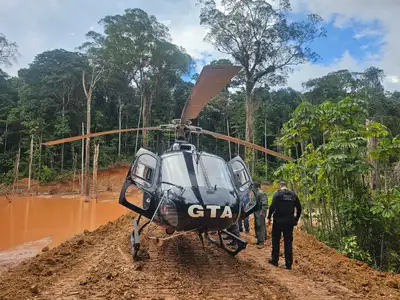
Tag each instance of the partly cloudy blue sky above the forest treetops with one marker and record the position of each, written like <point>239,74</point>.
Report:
<point>360,33</point>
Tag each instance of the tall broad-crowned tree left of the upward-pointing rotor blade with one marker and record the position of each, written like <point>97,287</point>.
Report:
<point>139,47</point>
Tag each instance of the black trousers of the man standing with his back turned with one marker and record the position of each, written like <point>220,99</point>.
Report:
<point>287,230</point>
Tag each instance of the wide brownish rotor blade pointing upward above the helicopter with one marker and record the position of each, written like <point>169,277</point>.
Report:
<point>212,79</point>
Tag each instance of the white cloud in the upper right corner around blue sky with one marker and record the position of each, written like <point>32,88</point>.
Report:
<point>383,14</point>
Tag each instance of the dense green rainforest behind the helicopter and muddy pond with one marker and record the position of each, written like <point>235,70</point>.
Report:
<point>342,130</point>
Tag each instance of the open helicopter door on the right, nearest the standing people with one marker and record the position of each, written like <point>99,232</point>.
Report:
<point>243,182</point>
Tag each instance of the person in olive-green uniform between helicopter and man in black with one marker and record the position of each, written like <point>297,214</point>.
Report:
<point>259,215</point>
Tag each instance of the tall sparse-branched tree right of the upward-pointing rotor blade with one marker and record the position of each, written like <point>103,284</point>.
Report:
<point>259,38</point>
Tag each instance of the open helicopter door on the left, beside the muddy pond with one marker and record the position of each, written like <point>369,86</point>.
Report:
<point>143,174</point>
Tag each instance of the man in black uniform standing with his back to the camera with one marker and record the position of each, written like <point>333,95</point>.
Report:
<point>282,208</point>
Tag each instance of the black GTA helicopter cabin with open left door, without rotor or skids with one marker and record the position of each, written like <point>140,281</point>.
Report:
<point>186,190</point>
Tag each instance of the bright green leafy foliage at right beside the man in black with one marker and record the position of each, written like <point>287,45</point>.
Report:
<point>331,176</point>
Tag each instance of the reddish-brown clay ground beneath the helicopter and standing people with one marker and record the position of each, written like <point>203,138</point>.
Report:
<point>98,265</point>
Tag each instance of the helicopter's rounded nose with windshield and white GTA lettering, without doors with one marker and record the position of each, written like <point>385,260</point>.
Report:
<point>195,192</point>
